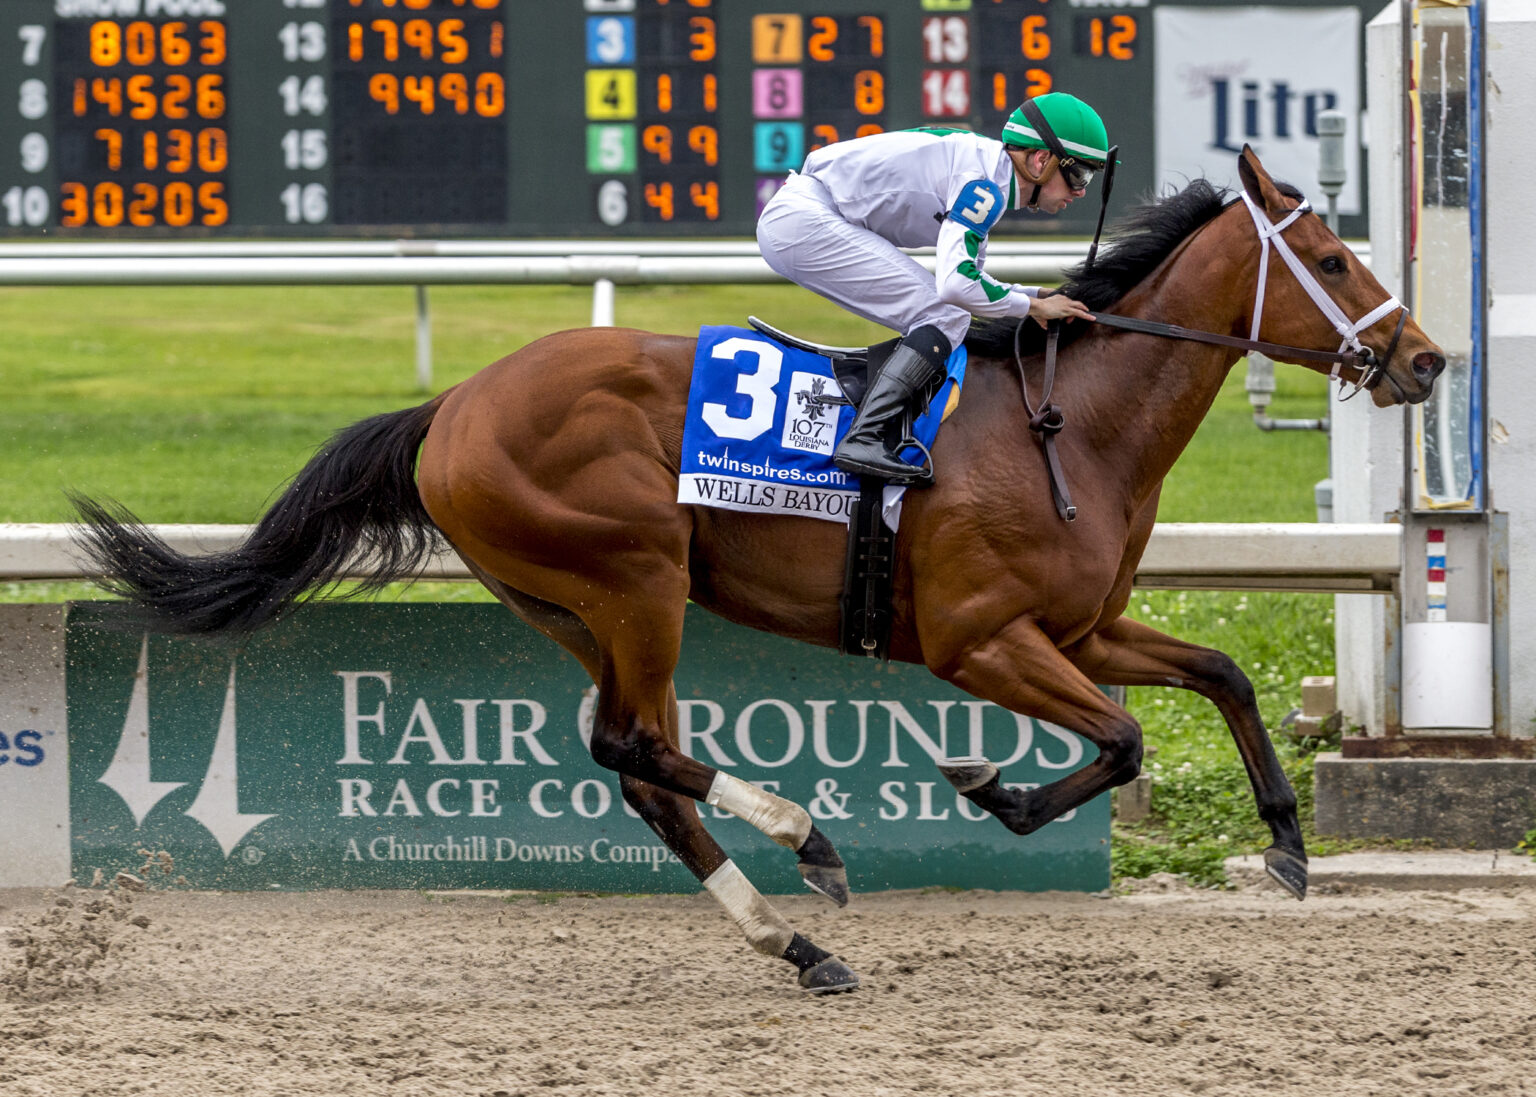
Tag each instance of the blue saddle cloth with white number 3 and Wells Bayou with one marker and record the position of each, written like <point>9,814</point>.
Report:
<point>760,434</point>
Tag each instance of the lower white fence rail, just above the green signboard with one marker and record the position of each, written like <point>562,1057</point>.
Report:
<point>1182,555</point>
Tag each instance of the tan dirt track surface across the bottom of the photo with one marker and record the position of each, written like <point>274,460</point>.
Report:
<point>976,993</point>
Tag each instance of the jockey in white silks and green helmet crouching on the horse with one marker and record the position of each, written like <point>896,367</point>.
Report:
<point>839,224</point>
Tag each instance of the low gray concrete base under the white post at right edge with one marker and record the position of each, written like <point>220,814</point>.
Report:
<point>1471,804</point>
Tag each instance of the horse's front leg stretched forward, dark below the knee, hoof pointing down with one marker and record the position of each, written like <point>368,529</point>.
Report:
<point>1130,654</point>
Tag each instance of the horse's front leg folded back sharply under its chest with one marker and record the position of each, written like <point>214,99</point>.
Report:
<point>1022,671</point>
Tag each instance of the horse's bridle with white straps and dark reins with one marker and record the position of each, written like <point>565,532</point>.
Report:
<point>1047,422</point>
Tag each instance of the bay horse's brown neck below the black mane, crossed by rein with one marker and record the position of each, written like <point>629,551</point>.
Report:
<point>1140,399</point>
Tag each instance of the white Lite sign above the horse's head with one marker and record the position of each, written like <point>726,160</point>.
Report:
<point>1230,78</point>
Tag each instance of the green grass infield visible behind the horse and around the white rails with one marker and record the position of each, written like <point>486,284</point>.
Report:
<point>197,405</point>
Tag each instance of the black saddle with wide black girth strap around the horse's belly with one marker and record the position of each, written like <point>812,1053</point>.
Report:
<point>870,565</point>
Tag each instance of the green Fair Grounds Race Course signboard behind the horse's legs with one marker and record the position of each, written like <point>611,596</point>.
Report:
<point>445,747</point>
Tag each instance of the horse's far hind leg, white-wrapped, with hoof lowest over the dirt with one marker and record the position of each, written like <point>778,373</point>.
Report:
<point>677,821</point>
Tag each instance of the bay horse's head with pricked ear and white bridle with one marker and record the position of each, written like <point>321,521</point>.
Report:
<point>1314,293</point>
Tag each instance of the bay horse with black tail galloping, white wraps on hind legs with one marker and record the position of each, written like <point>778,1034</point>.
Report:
<point>554,474</point>
